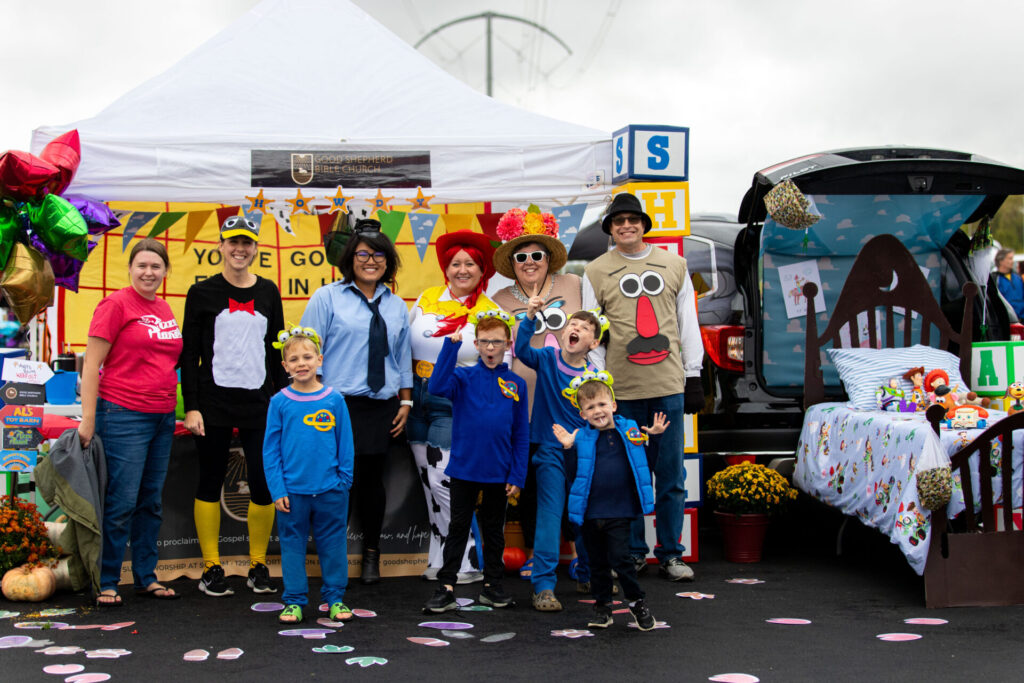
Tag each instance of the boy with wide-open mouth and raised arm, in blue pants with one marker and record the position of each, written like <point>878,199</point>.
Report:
<point>557,368</point>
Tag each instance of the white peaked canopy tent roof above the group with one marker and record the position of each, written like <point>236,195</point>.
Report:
<point>322,75</point>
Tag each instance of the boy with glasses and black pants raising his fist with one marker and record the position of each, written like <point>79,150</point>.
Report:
<point>490,446</point>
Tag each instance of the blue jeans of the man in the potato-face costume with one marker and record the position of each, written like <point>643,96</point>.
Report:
<point>665,455</point>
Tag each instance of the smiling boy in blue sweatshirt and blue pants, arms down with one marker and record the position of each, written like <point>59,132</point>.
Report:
<point>308,459</point>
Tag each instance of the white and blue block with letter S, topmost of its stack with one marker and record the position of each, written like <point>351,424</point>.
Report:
<point>651,153</point>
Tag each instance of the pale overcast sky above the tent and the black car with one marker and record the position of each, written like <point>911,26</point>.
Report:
<point>756,82</point>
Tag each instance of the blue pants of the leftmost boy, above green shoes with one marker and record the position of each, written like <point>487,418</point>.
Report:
<point>327,515</point>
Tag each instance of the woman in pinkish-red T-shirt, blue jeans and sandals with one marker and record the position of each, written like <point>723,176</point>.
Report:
<point>129,398</point>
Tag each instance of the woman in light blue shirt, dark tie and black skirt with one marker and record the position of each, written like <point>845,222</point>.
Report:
<point>367,357</point>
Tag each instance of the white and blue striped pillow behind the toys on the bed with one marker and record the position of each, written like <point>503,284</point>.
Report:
<point>863,371</point>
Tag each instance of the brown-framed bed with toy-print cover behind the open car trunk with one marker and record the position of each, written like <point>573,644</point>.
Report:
<point>864,461</point>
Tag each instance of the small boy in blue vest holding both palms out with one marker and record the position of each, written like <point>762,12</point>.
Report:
<point>612,488</point>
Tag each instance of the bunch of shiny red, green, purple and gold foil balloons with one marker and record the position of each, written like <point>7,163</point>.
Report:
<point>45,237</point>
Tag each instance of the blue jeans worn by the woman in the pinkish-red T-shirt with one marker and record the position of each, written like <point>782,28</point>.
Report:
<point>138,448</point>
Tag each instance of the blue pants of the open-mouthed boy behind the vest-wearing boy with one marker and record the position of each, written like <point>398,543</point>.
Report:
<point>549,464</point>
